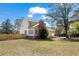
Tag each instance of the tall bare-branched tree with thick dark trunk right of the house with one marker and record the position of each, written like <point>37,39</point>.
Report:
<point>62,12</point>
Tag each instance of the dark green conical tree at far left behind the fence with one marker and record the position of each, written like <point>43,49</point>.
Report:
<point>7,27</point>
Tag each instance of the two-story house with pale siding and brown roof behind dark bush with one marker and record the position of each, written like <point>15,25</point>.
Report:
<point>31,28</point>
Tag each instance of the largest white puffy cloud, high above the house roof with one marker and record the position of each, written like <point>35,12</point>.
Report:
<point>37,10</point>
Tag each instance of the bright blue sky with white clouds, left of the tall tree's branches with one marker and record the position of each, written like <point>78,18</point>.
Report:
<point>13,11</point>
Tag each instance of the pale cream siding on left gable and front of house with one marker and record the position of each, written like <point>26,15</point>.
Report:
<point>25,30</point>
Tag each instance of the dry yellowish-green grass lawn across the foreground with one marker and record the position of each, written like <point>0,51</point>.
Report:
<point>23,47</point>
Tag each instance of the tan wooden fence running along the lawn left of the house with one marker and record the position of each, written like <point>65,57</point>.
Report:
<point>12,36</point>
